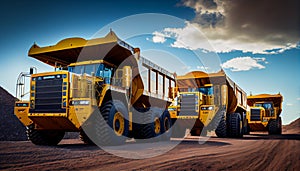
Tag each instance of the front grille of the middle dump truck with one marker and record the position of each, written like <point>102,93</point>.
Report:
<point>188,105</point>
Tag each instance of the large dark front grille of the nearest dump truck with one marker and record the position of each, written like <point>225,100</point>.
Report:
<point>48,95</point>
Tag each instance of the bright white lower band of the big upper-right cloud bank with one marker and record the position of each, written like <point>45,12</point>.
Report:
<point>193,37</point>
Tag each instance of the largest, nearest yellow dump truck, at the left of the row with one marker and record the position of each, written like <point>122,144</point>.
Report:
<point>101,88</point>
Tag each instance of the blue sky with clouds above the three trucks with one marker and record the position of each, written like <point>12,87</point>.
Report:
<point>257,48</point>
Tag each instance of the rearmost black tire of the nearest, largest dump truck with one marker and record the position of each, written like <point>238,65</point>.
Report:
<point>166,125</point>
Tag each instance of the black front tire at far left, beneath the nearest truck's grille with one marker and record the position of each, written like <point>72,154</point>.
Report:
<point>44,137</point>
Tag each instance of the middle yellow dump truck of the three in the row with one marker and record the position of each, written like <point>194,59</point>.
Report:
<point>208,102</point>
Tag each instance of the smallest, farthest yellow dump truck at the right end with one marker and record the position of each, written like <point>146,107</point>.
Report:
<point>264,114</point>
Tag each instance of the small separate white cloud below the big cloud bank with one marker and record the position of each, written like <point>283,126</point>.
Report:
<point>243,63</point>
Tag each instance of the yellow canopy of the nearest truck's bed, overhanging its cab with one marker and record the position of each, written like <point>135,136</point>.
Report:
<point>72,50</point>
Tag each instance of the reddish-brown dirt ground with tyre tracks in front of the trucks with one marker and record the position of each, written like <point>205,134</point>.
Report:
<point>253,152</point>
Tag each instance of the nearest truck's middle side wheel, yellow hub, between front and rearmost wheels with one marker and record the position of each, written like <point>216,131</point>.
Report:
<point>148,126</point>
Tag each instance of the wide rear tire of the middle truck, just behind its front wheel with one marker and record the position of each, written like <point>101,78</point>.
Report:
<point>235,126</point>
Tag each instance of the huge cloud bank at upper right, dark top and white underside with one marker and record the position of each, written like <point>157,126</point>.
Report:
<point>240,26</point>
